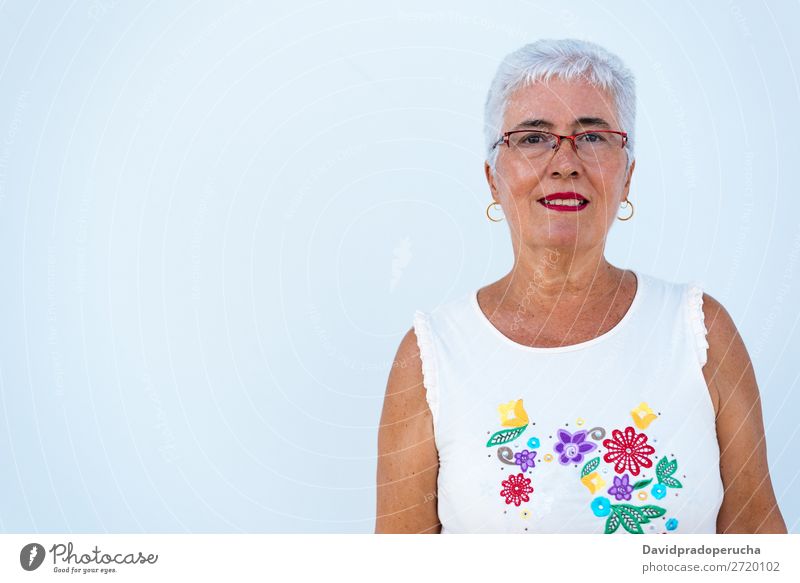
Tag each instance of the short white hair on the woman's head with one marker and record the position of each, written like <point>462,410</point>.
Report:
<point>567,59</point>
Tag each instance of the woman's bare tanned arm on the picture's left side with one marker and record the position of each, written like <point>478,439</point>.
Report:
<point>408,462</point>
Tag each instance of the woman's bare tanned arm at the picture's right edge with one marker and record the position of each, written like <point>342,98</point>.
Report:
<point>749,505</point>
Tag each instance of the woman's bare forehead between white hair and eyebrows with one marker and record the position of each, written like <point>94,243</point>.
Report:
<point>560,102</point>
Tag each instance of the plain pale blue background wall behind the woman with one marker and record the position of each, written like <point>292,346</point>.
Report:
<point>218,218</point>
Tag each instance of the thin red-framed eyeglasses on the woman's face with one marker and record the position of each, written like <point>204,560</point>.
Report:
<point>594,146</point>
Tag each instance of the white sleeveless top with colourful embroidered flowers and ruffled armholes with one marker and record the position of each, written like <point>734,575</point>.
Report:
<point>613,435</point>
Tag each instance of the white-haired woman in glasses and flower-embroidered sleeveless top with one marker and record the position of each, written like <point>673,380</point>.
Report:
<point>571,395</point>
